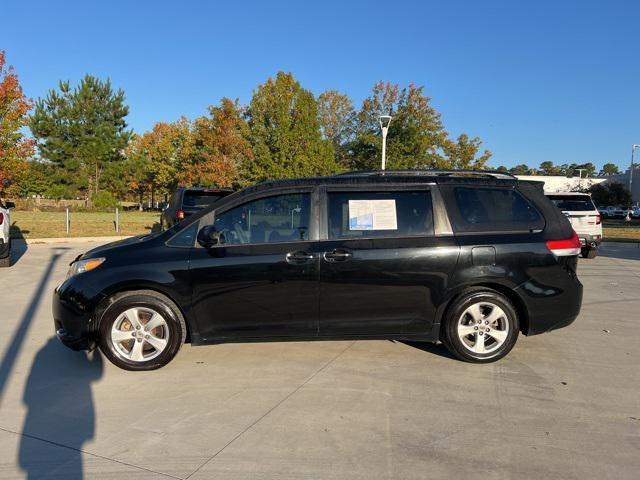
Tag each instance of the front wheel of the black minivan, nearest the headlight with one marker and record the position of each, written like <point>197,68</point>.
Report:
<point>128,315</point>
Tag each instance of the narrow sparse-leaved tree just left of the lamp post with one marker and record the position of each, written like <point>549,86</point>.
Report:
<point>337,122</point>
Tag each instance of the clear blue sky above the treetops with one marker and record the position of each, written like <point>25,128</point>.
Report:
<point>538,80</point>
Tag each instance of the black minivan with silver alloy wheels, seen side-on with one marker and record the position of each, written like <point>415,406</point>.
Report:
<point>467,258</point>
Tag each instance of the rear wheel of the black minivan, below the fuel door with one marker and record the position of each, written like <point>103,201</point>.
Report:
<point>463,316</point>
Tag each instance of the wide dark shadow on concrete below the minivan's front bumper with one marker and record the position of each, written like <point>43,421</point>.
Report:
<point>60,411</point>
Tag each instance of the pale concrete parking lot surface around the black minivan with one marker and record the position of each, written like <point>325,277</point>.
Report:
<point>561,405</point>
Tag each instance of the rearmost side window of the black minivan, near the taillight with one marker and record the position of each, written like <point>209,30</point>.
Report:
<point>494,209</point>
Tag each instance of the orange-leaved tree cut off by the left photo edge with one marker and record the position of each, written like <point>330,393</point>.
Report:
<point>14,147</point>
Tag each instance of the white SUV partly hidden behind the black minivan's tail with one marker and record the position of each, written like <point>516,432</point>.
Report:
<point>584,217</point>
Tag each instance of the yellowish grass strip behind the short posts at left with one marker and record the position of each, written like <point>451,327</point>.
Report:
<point>83,224</point>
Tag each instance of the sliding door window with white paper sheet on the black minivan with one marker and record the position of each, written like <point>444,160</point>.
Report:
<point>379,214</point>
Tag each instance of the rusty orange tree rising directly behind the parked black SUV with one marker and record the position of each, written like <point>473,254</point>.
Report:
<point>221,146</point>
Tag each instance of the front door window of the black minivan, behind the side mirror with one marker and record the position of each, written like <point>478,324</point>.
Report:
<point>282,218</point>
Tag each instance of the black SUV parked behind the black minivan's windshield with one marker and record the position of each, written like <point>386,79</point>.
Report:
<point>186,201</point>
